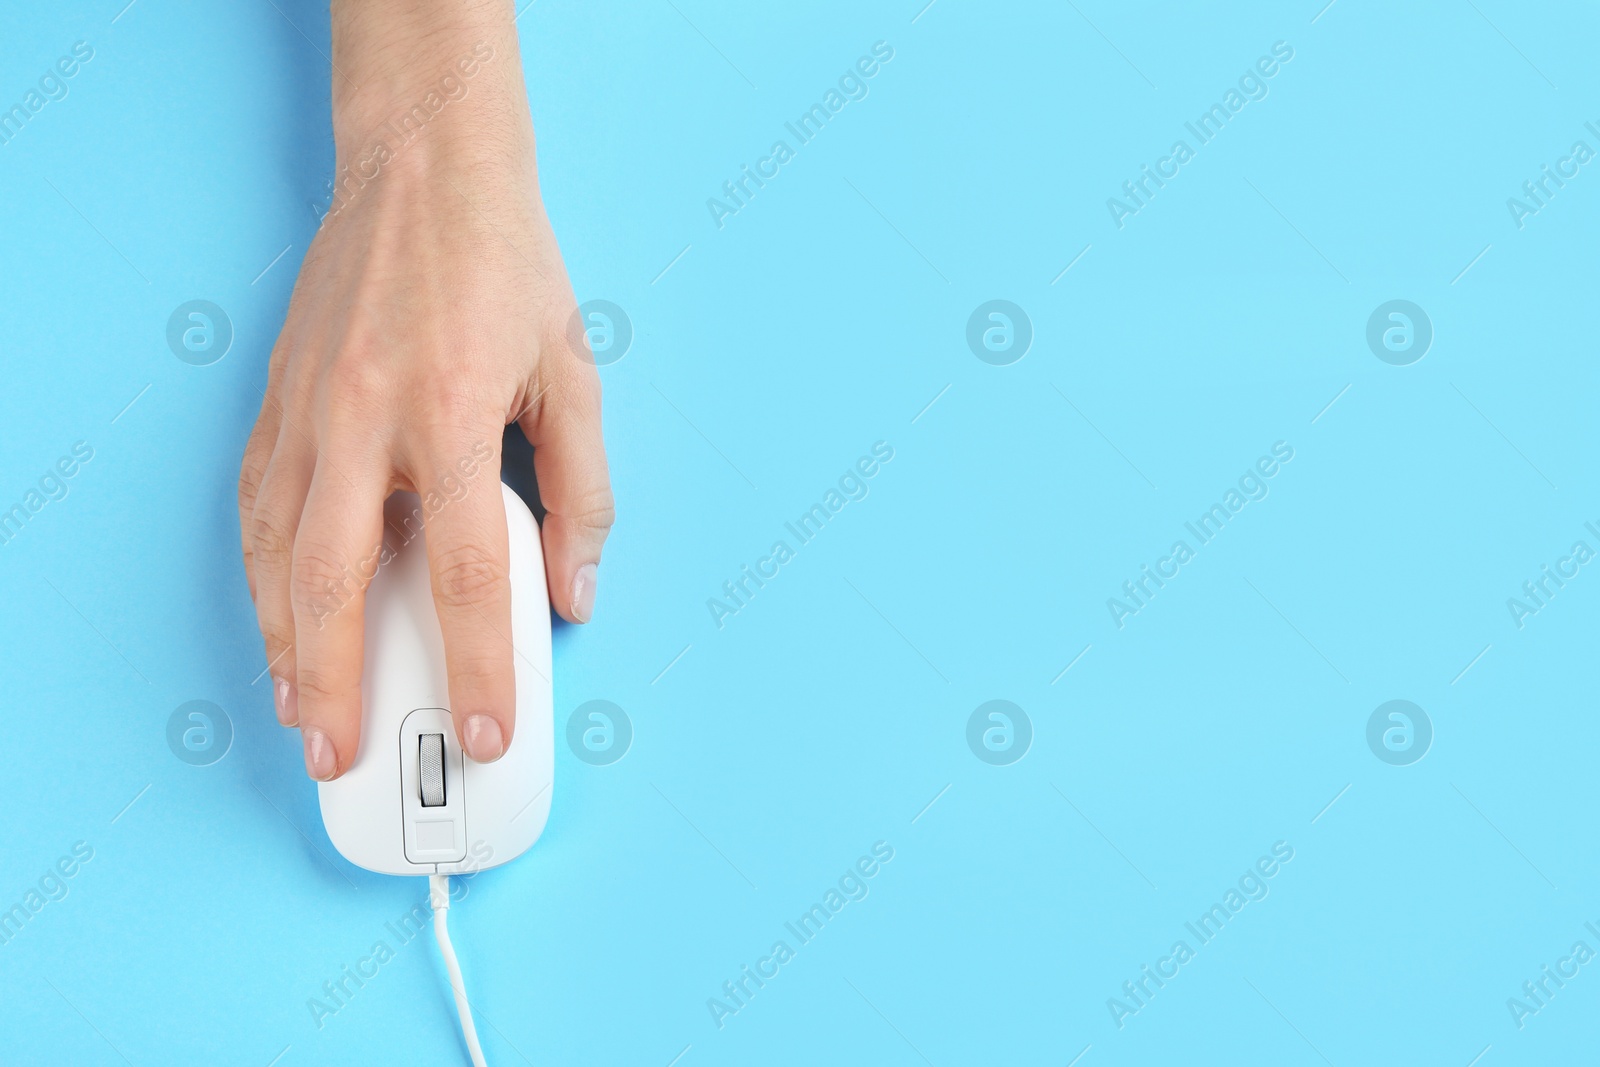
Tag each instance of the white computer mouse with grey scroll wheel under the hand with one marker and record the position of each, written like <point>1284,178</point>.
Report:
<point>412,804</point>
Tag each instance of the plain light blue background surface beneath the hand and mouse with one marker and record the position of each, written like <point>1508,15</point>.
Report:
<point>1230,716</point>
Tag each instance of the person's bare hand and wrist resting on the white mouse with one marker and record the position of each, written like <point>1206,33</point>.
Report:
<point>431,313</point>
